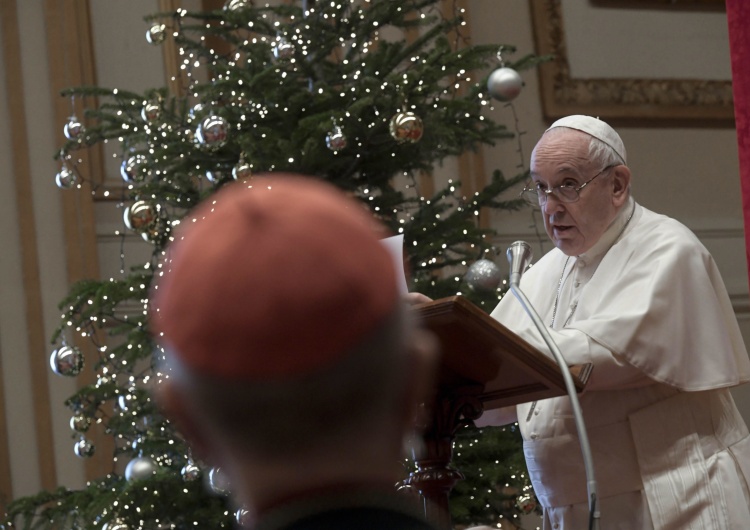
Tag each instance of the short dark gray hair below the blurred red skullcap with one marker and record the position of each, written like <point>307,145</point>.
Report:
<point>273,418</point>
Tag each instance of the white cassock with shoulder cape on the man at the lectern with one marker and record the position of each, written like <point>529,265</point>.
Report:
<point>647,306</point>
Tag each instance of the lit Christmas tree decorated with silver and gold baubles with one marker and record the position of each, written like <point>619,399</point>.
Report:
<point>370,95</point>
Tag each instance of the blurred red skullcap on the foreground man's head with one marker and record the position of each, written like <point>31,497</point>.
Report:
<point>272,278</point>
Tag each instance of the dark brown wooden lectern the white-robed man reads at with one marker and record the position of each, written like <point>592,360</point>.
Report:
<point>484,366</point>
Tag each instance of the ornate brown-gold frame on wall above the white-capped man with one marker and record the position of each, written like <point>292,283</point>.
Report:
<point>655,102</point>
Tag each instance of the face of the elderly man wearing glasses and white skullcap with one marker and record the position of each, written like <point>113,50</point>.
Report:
<point>562,158</point>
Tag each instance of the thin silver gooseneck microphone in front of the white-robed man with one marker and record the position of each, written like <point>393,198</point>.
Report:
<point>519,255</point>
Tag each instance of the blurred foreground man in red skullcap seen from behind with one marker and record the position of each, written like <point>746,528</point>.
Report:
<point>293,364</point>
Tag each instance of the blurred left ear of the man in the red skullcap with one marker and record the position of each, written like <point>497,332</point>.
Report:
<point>179,411</point>
